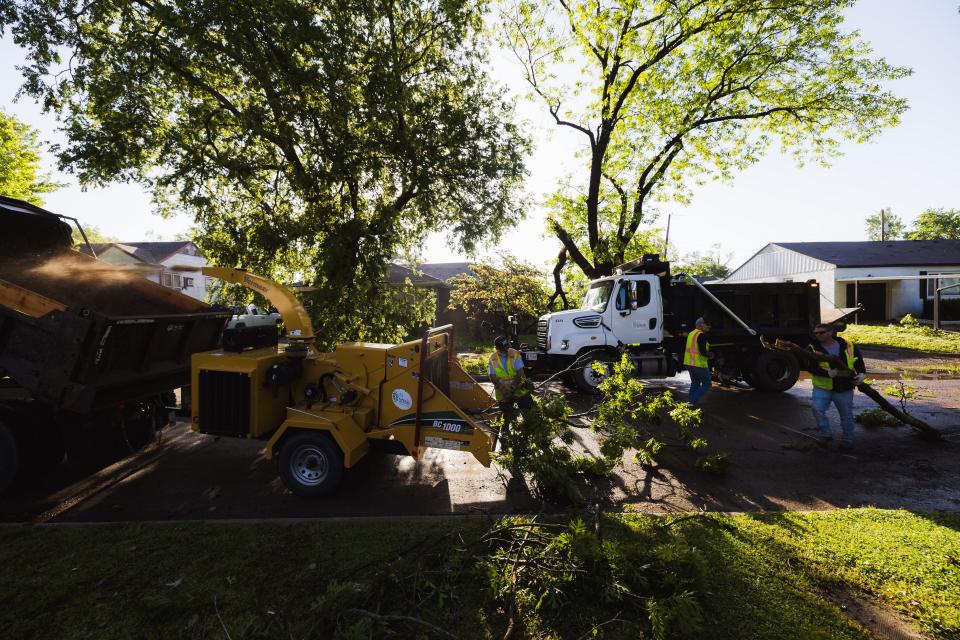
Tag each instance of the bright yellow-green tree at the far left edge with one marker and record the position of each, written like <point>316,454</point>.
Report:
<point>20,165</point>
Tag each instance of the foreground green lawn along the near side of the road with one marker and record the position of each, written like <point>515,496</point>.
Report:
<point>763,576</point>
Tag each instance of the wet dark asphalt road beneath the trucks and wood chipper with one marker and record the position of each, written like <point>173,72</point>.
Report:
<point>774,465</point>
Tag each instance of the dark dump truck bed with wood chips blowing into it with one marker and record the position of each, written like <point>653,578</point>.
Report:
<point>80,334</point>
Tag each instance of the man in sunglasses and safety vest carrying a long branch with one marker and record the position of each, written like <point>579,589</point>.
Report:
<point>832,385</point>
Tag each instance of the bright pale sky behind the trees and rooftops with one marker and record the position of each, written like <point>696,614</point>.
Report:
<point>910,168</point>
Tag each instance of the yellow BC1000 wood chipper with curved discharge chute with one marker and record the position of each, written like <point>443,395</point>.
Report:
<point>322,412</point>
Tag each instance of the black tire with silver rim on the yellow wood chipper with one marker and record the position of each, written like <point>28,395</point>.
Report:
<point>311,465</point>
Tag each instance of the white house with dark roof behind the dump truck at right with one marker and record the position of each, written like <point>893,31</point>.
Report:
<point>890,279</point>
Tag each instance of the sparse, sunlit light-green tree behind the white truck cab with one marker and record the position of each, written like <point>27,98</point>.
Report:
<point>668,93</point>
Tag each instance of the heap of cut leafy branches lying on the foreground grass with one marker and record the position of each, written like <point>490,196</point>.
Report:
<point>547,575</point>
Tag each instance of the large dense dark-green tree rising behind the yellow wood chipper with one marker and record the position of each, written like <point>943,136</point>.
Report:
<point>310,139</point>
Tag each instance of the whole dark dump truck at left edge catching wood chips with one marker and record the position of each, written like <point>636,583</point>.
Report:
<point>87,349</point>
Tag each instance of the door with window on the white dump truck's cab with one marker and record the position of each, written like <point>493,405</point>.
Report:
<point>637,312</point>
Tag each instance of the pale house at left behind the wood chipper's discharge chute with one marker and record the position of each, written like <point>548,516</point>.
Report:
<point>173,264</point>
